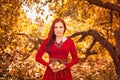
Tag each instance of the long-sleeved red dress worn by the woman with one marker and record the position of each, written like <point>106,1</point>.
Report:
<point>58,53</point>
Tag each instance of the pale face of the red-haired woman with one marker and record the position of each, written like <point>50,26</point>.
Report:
<point>59,29</point>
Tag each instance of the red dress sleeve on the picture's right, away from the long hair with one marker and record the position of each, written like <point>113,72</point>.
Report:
<point>73,54</point>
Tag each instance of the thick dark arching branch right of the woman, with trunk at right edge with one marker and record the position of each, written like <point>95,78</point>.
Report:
<point>113,51</point>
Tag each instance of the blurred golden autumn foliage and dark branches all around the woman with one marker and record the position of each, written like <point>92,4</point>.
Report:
<point>92,24</point>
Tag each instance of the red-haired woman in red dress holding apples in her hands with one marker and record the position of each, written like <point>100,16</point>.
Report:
<point>58,48</point>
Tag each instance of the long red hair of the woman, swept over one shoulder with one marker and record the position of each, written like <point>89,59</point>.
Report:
<point>51,36</point>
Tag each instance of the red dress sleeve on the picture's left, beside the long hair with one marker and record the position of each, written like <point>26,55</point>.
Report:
<point>40,53</point>
